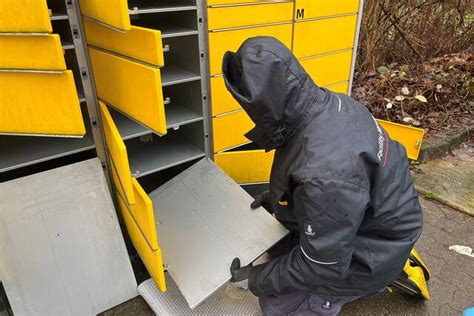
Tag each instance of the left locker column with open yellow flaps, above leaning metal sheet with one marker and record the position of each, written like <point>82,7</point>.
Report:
<point>38,18</point>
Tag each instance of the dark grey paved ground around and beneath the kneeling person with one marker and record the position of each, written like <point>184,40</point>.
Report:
<point>451,286</point>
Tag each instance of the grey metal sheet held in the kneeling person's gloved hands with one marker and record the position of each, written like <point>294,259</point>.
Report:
<point>204,220</point>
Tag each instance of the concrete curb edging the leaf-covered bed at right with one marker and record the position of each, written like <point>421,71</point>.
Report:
<point>439,146</point>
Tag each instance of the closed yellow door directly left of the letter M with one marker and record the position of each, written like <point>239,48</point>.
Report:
<point>252,14</point>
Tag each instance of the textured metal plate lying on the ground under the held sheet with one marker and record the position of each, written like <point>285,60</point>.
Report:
<point>228,300</point>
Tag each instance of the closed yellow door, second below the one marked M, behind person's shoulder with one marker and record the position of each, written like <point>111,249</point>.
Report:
<point>329,69</point>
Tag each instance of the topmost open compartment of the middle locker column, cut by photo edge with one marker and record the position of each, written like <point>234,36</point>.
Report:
<point>153,6</point>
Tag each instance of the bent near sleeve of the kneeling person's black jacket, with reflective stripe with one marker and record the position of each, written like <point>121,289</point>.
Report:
<point>329,213</point>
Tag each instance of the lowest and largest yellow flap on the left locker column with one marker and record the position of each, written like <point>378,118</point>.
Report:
<point>40,103</point>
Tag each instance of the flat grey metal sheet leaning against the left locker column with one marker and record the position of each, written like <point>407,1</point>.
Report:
<point>61,247</point>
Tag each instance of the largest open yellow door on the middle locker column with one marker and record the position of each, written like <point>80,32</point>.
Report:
<point>131,87</point>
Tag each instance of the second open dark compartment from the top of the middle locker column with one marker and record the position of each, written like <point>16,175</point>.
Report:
<point>171,24</point>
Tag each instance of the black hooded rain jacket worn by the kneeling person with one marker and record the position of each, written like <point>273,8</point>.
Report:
<point>344,184</point>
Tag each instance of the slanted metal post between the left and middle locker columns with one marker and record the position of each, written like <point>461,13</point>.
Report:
<point>78,34</point>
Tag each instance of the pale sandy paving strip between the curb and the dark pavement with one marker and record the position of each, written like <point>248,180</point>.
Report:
<point>449,180</point>
